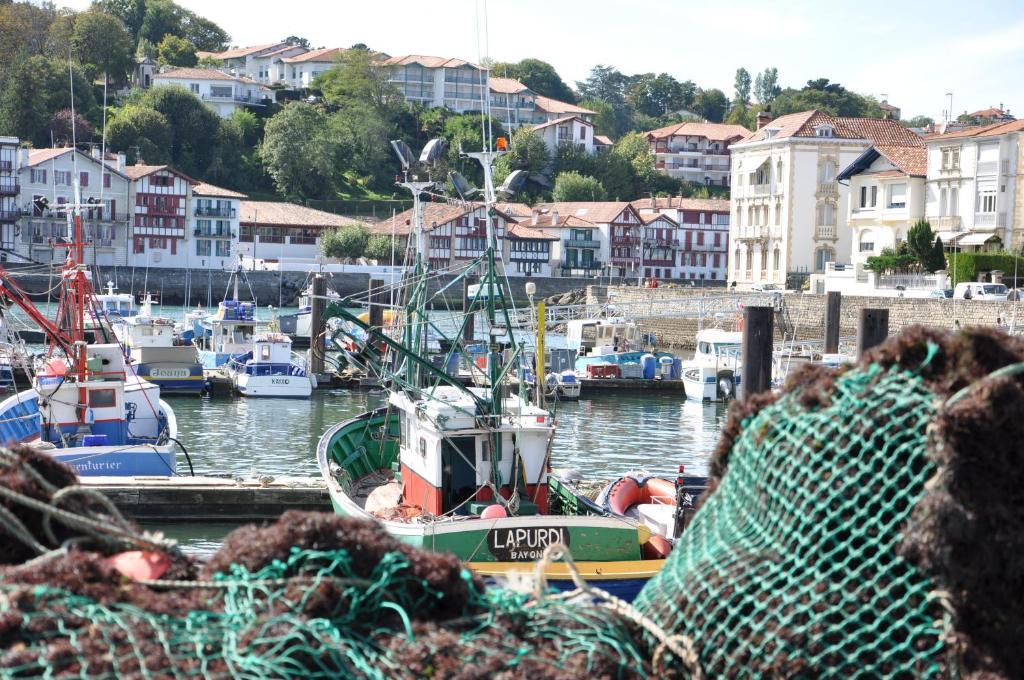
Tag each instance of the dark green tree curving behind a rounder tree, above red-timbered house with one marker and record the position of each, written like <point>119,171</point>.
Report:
<point>194,127</point>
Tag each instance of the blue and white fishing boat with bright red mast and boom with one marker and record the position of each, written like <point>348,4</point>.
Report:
<point>87,408</point>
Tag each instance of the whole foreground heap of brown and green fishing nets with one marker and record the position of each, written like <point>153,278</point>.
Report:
<point>863,524</point>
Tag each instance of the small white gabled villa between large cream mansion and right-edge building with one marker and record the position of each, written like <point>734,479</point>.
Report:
<point>887,198</point>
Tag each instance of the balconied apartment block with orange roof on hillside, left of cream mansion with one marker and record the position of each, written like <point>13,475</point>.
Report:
<point>698,153</point>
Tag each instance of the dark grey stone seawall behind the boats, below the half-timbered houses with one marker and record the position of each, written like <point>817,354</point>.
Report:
<point>208,287</point>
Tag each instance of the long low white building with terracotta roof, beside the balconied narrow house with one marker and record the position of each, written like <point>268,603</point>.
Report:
<point>276,232</point>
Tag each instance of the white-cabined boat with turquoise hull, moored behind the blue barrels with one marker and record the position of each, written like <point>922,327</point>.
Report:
<point>615,341</point>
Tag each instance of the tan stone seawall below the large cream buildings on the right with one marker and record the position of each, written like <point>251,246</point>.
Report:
<point>806,312</point>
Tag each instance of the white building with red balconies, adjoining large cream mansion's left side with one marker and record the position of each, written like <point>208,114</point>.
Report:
<point>703,235</point>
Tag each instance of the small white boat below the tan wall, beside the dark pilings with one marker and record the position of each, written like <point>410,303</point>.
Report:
<point>714,373</point>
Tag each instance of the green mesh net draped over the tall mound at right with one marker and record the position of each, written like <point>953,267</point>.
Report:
<point>792,567</point>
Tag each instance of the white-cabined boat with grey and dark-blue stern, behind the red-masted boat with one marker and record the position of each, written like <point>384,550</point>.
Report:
<point>157,355</point>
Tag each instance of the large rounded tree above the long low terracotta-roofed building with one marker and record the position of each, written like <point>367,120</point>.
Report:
<point>300,153</point>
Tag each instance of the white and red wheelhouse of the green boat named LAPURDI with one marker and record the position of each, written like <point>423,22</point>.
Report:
<point>447,459</point>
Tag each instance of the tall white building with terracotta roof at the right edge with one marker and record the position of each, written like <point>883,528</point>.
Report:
<point>974,198</point>
